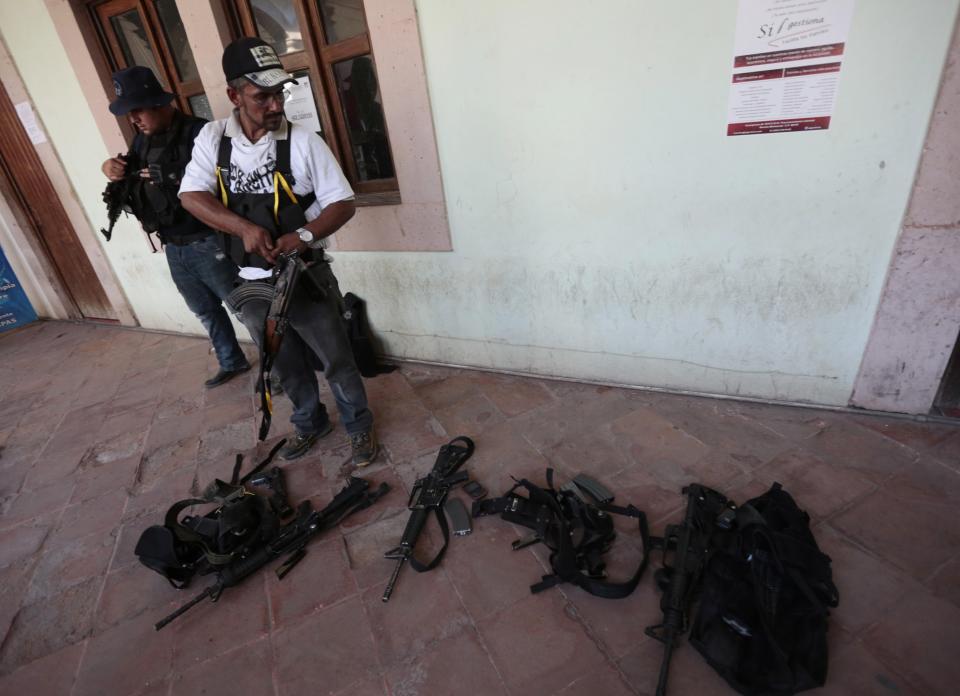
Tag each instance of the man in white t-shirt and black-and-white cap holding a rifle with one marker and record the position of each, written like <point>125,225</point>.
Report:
<point>273,187</point>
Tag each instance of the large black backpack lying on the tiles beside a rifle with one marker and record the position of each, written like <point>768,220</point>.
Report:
<point>767,589</point>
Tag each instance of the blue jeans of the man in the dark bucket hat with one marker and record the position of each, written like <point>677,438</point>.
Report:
<point>205,276</point>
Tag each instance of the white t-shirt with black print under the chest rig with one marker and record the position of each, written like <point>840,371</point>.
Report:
<point>251,164</point>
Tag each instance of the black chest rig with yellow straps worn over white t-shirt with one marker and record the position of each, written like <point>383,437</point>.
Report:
<point>279,212</point>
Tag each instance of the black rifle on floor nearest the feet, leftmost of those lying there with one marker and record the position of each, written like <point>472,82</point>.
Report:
<point>291,539</point>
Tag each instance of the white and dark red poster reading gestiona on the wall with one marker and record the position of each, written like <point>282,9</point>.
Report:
<point>786,65</point>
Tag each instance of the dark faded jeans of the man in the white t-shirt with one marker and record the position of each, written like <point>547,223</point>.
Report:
<point>315,324</point>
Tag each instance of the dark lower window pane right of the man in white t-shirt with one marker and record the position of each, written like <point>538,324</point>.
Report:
<point>360,101</point>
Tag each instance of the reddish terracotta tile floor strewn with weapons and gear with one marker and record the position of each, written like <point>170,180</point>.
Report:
<point>102,428</point>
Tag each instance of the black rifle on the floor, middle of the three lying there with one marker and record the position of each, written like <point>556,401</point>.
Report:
<point>429,494</point>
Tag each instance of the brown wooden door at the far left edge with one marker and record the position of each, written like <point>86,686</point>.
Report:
<point>29,188</point>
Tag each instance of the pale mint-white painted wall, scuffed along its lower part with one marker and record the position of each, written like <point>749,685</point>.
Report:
<point>604,227</point>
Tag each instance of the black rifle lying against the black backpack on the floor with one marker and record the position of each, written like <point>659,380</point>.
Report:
<point>707,510</point>
